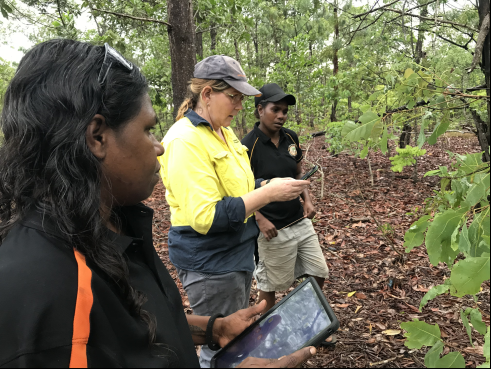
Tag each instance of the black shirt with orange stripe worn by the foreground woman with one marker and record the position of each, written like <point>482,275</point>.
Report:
<point>58,309</point>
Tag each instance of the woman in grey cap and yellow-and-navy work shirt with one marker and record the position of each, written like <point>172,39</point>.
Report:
<point>211,193</point>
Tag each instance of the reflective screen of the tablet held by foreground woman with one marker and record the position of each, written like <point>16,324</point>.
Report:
<point>285,330</point>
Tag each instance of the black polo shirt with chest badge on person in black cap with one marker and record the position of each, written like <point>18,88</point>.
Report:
<point>268,161</point>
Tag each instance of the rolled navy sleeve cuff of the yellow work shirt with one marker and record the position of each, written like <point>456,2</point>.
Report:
<point>230,214</point>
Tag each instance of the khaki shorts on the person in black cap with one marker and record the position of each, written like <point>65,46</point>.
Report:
<point>292,254</point>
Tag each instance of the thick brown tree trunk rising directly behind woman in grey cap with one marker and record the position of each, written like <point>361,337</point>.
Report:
<point>182,48</point>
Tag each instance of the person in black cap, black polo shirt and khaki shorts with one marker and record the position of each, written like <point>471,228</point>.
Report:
<point>288,246</point>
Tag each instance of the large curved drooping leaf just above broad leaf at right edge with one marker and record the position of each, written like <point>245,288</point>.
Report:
<point>438,239</point>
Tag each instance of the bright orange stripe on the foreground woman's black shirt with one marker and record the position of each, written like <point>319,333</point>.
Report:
<point>81,319</point>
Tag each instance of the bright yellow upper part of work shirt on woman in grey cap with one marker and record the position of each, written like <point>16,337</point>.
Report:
<point>199,170</point>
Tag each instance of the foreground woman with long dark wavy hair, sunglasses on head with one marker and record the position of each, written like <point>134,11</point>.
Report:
<point>80,282</point>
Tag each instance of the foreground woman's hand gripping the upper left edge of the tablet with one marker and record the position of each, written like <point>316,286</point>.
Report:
<point>226,329</point>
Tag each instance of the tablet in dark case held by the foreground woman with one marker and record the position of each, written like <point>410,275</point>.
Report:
<point>303,318</point>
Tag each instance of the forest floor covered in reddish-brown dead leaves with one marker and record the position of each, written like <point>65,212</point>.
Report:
<point>361,259</point>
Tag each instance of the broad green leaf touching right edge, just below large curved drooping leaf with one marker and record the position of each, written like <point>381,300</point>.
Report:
<point>467,275</point>
